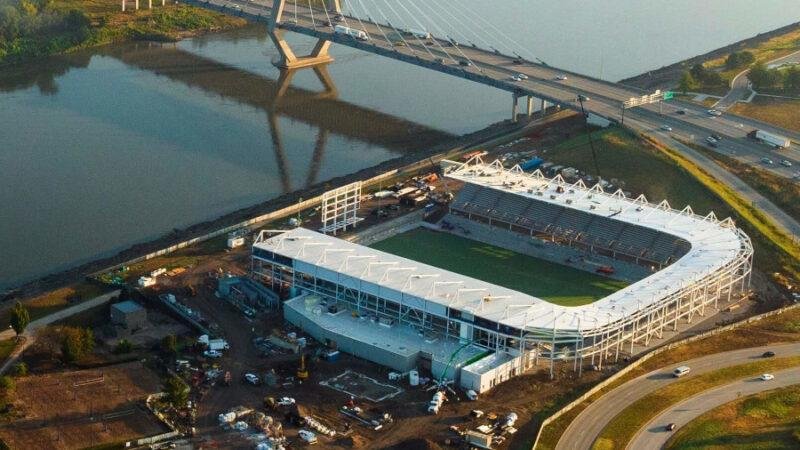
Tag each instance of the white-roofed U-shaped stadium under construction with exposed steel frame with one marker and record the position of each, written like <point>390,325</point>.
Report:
<point>407,315</point>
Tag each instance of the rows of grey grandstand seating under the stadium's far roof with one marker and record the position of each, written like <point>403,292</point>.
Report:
<point>571,224</point>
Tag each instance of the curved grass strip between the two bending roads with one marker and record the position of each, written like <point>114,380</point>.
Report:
<point>625,425</point>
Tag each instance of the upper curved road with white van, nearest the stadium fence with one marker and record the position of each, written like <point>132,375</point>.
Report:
<point>582,432</point>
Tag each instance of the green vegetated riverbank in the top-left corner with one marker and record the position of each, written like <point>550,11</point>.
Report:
<point>61,26</point>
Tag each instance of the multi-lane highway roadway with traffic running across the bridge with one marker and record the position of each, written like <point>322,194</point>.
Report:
<point>496,69</point>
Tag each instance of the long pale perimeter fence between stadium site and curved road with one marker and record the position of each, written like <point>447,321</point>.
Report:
<point>625,370</point>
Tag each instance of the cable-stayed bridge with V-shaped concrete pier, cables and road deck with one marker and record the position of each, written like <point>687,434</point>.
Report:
<point>455,40</point>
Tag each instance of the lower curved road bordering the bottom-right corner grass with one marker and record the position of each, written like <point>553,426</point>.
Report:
<point>653,435</point>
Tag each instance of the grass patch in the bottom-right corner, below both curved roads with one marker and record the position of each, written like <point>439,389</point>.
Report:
<point>763,421</point>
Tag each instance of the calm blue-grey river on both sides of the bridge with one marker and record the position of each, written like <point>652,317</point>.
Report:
<point>117,145</point>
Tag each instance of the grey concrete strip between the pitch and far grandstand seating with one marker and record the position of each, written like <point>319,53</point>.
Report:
<point>549,251</point>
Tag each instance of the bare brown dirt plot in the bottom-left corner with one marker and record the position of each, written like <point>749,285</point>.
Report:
<point>78,409</point>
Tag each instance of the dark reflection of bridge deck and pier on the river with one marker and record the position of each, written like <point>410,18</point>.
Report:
<point>278,98</point>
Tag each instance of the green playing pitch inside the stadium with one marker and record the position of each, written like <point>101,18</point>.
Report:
<point>553,282</point>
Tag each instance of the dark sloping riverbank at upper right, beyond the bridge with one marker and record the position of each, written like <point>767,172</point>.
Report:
<point>667,77</point>
